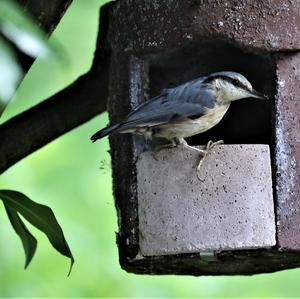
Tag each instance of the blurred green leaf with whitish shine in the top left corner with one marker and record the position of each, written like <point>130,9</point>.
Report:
<point>17,26</point>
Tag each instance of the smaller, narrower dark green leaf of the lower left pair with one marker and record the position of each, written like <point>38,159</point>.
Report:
<point>28,240</point>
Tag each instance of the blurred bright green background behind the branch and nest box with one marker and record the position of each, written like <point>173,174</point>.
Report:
<point>73,177</point>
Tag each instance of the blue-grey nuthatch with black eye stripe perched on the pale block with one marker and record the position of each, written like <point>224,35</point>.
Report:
<point>186,110</point>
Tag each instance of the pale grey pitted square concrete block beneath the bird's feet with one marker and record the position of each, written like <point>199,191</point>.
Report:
<point>231,207</point>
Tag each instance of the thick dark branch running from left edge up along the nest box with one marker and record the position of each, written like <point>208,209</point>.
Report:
<point>64,111</point>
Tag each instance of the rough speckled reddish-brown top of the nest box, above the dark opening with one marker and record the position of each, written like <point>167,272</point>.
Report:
<point>271,25</point>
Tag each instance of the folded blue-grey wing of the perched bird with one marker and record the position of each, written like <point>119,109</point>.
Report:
<point>185,101</point>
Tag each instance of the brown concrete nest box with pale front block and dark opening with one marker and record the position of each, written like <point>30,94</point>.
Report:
<point>243,215</point>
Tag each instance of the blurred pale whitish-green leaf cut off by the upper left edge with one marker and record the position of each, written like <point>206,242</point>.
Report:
<point>10,74</point>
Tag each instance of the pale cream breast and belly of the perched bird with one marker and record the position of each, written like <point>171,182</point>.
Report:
<point>184,128</point>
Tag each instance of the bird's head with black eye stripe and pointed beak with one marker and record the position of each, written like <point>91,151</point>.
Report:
<point>231,86</point>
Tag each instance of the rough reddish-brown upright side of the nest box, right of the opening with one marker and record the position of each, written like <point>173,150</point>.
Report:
<point>287,151</point>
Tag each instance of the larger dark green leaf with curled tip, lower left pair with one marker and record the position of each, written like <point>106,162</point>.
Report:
<point>41,217</point>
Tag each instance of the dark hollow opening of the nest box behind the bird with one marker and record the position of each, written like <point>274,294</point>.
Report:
<point>247,121</point>
